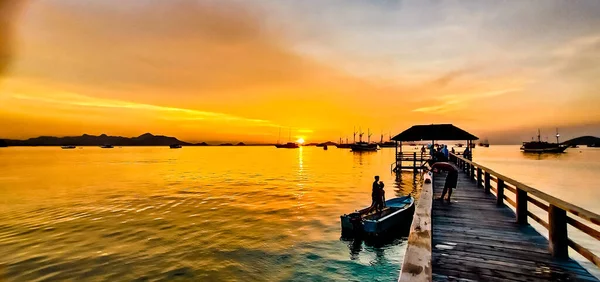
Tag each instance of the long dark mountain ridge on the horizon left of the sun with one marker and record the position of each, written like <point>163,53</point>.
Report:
<point>146,139</point>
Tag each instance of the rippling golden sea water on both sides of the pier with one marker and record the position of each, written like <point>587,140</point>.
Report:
<point>240,213</point>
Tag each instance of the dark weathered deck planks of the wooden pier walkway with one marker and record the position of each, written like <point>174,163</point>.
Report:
<point>474,240</point>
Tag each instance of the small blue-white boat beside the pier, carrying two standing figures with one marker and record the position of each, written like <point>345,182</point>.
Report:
<point>372,223</point>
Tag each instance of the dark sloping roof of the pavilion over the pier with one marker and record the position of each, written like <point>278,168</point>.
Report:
<point>434,132</point>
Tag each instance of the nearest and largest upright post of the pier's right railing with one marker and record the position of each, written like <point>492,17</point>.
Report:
<point>559,240</point>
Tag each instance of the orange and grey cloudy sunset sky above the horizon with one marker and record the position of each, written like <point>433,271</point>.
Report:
<point>245,70</point>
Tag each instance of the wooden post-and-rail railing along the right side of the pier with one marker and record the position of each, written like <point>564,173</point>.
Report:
<point>560,213</point>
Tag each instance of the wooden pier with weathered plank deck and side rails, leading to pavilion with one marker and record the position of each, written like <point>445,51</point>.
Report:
<point>477,237</point>
